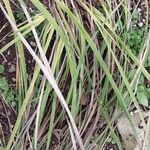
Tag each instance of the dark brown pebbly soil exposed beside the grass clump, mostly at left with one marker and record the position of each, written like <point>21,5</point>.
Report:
<point>9,59</point>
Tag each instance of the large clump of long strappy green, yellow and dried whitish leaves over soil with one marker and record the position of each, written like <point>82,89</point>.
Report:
<point>82,85</point>
